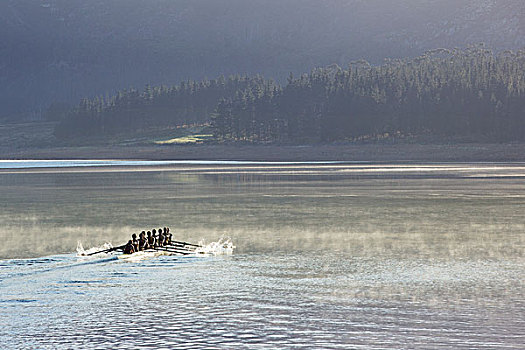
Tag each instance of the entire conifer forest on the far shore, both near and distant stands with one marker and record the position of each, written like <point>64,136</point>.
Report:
<point>470,93</point>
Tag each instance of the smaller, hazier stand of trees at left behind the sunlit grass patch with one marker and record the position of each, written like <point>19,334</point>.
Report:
<point>190,102</point>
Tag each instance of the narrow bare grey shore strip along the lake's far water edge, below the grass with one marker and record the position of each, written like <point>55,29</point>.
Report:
<point>402,152</point>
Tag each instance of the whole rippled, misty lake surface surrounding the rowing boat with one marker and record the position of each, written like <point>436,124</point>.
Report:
<point>371,256</point>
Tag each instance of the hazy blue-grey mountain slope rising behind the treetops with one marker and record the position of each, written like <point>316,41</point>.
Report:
<point>62,50</point>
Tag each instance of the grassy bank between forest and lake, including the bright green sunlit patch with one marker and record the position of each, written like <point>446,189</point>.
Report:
<point>36,141</point>
